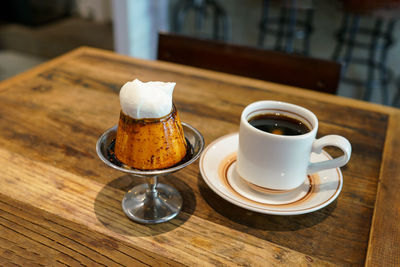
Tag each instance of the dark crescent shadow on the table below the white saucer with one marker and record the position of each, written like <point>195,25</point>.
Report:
<point>261,221</point>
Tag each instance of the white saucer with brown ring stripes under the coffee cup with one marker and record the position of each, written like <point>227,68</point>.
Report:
<point>218,168</point>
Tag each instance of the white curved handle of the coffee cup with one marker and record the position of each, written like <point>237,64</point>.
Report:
<point>330,140</point>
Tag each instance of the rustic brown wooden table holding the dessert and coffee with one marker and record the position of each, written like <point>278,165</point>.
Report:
<point>59,204</point>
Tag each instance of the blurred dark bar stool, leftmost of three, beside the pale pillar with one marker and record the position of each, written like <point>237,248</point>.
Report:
<point>220,25</point>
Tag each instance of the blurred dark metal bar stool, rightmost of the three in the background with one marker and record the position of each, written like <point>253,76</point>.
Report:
<point>380,37</point>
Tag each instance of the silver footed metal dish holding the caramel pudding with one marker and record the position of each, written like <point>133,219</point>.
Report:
<point>152,202</point>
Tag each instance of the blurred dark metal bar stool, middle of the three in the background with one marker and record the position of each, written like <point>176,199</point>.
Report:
<point>294,22</point>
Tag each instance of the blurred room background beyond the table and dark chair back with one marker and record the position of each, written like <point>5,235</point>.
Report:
<point>362,35</point>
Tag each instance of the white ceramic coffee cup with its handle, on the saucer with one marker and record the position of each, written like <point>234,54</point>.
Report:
<point>282,162</point>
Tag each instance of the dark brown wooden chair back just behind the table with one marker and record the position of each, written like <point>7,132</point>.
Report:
<point>274,66</point>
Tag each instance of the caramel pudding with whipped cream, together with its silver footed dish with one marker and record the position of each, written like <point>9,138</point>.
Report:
<point>150,141</point>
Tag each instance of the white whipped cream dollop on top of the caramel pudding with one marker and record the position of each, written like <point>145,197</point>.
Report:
<point>145,100</point>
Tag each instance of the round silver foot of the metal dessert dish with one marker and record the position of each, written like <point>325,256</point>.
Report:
<point>142,205</point>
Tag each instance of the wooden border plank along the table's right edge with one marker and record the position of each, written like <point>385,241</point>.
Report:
<point>383,233</point>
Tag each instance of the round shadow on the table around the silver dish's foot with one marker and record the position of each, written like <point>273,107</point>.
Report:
<point>108,210</point>
